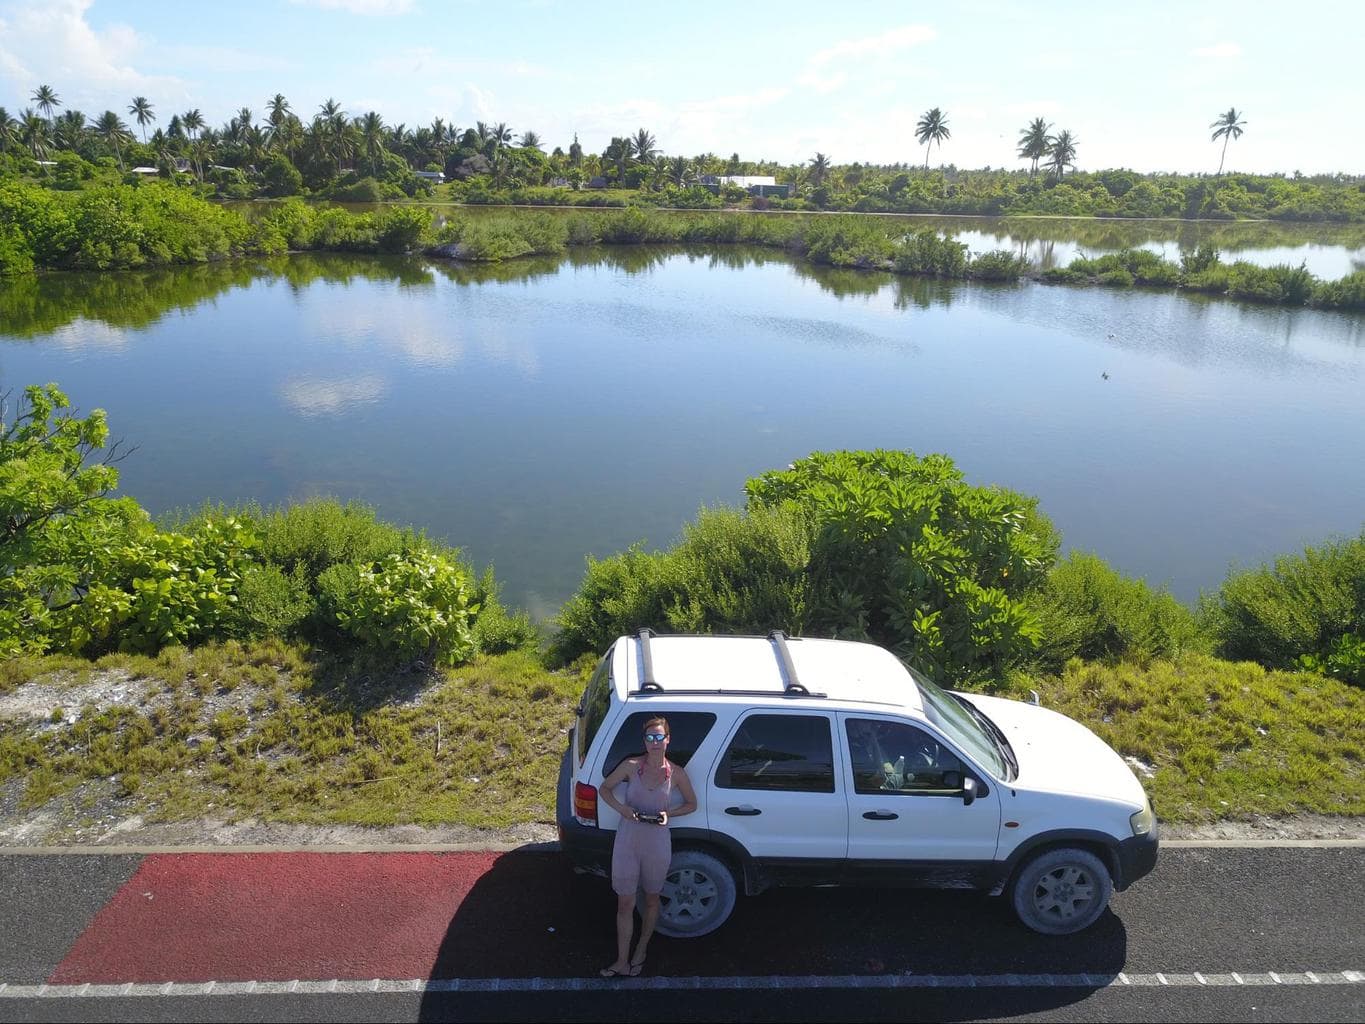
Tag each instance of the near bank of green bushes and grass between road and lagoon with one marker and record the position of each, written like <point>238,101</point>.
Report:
<point>313,664</point>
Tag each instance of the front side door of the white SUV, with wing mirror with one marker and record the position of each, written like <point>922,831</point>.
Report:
<point>908,819</point>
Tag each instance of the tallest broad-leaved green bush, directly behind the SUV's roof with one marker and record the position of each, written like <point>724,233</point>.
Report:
<point>911,556</point>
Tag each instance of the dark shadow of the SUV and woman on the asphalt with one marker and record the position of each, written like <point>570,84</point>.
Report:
<point>532,917</point>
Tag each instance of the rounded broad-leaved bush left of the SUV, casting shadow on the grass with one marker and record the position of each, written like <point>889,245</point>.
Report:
<point>416,606</point>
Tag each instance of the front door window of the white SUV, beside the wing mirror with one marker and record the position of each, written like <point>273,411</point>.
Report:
<point>895,757</point>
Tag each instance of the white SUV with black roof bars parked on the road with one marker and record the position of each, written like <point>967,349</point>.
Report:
<point>822,763</point>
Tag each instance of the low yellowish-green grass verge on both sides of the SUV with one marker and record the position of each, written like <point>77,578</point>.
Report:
<point>282,733</point>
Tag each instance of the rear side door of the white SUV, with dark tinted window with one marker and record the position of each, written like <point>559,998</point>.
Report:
<point>779,790</point>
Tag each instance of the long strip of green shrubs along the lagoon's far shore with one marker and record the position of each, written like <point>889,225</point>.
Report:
<point>156,225</point>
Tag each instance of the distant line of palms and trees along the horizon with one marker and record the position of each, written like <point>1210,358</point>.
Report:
<point>339,156</point>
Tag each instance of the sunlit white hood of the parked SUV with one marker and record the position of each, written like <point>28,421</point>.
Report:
<point>1060,756</point>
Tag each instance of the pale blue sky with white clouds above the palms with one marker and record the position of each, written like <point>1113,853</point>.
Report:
<point>1136,85</point>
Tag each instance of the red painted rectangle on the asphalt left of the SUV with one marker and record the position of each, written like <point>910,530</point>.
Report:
<point>279,917</point>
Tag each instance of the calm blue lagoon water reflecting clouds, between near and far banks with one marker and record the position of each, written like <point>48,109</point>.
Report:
<point>541,412</point>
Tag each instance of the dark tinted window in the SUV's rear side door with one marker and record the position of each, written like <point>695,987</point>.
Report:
<point>780,752</point>
